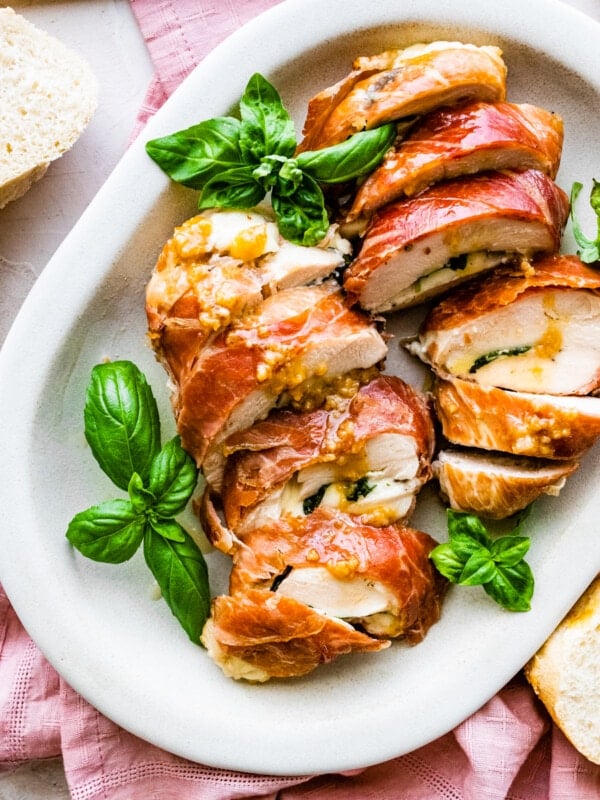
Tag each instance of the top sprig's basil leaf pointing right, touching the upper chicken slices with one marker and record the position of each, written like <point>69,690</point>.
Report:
<point>356,156</point>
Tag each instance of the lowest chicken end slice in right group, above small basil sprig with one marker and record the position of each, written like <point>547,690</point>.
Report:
<point>495,485</point>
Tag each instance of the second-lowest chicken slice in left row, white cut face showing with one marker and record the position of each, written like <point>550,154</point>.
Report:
<point>380,578</point>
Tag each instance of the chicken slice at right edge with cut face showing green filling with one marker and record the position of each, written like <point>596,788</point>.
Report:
<point>533,329</point>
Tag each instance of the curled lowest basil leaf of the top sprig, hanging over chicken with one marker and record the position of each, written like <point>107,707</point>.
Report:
<point>301,216</point>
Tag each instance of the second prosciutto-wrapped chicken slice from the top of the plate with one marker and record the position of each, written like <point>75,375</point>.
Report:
<point>463,140</point>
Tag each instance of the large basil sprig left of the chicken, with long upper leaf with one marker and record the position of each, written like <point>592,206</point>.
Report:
<point>122,428</point>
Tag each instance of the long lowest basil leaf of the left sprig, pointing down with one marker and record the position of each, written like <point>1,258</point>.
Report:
<point>180,571</point>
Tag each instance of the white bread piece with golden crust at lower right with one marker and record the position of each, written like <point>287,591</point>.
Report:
<point>565,674</point>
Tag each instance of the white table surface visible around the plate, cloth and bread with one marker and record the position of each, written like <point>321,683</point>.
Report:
<point>31,228</point>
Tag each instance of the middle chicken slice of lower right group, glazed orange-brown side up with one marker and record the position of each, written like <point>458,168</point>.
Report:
<point>525,424</point>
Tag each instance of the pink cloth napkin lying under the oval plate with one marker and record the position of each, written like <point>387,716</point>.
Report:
<point>509,750</point>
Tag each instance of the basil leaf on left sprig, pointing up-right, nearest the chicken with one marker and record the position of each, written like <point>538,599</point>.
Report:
<point>173,478</point>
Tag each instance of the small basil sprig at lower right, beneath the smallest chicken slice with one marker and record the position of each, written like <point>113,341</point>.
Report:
<point>472,558</point>
